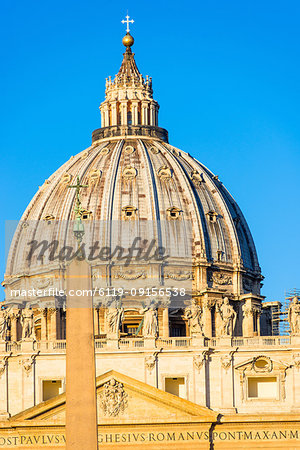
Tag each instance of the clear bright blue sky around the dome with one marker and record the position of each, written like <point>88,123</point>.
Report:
<point>226,74</point>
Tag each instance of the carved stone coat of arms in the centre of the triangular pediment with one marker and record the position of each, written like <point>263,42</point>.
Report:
<point>114,399</point>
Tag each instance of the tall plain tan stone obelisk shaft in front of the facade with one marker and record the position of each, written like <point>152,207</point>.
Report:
<point>81,406</point>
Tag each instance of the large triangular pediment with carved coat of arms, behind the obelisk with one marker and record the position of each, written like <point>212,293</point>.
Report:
<point>123,398</point>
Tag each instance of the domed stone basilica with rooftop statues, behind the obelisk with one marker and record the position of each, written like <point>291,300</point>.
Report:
<point>182,333</point>
